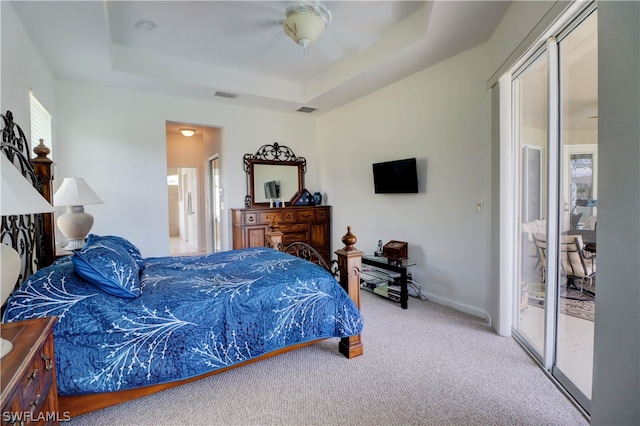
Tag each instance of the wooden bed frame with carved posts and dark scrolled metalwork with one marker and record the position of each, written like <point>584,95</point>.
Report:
<point>37,248</point>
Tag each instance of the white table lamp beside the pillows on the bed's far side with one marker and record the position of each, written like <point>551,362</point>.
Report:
<point>75,224</point>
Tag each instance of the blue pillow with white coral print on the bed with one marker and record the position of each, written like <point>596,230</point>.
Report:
<point>108,266</point>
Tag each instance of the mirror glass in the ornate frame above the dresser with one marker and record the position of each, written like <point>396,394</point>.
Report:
<point>285,177</point>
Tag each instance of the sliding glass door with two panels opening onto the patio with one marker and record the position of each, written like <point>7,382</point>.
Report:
<point>555,133</point>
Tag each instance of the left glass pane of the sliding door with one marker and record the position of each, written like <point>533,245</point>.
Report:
<point>530,98</point>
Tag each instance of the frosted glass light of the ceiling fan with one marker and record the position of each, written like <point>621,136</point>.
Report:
<point>305,22</point>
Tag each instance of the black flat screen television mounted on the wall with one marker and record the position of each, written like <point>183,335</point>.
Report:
<point>395,177</point>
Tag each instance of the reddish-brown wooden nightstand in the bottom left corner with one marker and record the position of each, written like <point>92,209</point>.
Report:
<point>29,390</point>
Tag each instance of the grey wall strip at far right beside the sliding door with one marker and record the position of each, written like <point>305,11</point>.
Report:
<point>616,372</point>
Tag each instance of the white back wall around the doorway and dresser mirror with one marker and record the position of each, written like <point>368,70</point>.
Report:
<point>116,140</point>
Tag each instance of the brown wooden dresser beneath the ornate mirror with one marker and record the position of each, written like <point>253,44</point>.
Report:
<point>307,224</point>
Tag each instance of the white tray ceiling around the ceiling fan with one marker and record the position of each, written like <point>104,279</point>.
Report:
<point>200,47</point>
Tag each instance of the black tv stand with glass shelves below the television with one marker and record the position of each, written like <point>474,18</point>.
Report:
<point>386,271</point>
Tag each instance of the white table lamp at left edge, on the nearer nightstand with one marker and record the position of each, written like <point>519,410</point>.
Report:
<point>18,197</point>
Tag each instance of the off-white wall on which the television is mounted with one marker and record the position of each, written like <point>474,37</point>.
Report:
<point>441,117</point>
